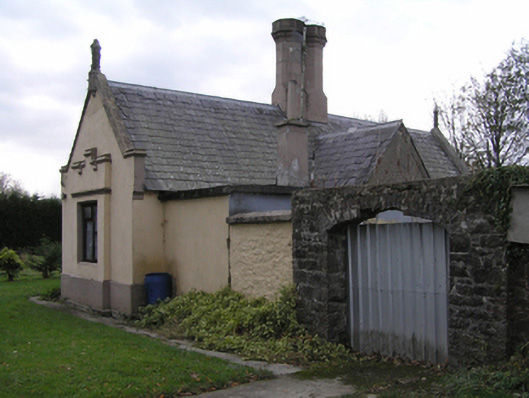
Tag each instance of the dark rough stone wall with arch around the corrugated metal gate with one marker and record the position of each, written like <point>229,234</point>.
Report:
<point>478,322</point>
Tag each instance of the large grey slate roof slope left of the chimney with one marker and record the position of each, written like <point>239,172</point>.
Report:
<point>195,141</point>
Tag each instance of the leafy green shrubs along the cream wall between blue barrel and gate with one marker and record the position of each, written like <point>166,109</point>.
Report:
<point>253,328</point>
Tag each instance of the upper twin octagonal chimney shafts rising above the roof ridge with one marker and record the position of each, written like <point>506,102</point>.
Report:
<point>299,70</point>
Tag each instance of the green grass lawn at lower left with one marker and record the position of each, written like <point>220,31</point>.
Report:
<point>46,353</point>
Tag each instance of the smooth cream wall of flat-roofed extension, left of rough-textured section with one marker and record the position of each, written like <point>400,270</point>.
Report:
<point>196,248</point>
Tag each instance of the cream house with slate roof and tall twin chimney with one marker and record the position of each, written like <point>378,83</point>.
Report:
<point>199,187</point>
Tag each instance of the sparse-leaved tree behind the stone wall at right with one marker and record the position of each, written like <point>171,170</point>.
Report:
<point>488,121</point>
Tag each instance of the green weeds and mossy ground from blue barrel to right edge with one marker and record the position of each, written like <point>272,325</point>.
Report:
<point>259,329</point>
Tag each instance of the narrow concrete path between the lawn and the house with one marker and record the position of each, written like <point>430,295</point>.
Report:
<point>285,385</point>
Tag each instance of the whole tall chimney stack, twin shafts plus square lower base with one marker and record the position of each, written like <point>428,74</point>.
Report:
<point>299,93</point>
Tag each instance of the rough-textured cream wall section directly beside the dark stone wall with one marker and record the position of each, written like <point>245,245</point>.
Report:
<point>261,258</point>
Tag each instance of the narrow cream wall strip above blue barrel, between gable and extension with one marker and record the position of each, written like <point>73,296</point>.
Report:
<point>148,235</point>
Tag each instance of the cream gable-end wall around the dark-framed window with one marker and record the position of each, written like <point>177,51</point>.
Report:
<point>95,131</point>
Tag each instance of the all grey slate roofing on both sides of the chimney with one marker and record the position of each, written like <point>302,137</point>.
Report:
<point>196,141</point>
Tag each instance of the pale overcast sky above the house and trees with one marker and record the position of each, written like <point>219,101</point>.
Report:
<point>394,56</point>
